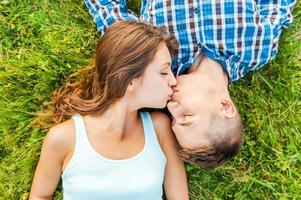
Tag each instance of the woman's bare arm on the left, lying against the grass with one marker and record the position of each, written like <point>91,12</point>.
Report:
<point>54,150</point>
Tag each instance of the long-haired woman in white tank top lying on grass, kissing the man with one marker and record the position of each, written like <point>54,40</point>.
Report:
<point>109,149</point>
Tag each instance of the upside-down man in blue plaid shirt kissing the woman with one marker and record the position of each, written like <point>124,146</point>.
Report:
<point>219,42</point>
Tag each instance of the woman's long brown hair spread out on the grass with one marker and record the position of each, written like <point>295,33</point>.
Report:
<point>122,54</point>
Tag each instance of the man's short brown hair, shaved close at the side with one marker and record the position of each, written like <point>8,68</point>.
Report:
<point>225,136</point>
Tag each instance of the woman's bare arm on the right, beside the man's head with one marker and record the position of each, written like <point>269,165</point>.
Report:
<point>175,181</point>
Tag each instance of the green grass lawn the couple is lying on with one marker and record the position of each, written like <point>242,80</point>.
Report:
<point>44,41</point>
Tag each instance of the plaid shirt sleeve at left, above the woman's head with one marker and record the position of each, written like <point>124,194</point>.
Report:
<point>106,12</point>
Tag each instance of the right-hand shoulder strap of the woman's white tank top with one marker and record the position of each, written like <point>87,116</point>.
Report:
<point>149,130</point>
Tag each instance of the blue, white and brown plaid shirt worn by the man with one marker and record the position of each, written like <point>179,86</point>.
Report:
<point>242,35</point>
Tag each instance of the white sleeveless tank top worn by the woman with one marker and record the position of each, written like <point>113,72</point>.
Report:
<point>89,175</point>
